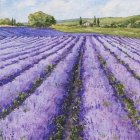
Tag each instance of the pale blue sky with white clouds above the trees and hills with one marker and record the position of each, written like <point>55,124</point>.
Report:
<point>69,9</point>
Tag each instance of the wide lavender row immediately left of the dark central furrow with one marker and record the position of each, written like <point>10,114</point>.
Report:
<point>33,118</point>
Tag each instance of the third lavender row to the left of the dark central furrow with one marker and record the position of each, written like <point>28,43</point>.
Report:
<point>10,72</point>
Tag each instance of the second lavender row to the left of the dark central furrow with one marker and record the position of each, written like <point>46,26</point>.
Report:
<point>26,80</point>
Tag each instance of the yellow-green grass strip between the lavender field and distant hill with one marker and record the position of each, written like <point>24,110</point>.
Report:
<point>125,32</point>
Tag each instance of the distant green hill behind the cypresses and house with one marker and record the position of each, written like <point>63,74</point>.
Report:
<point>131,21</point>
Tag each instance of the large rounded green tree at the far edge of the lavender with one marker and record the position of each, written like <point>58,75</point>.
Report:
<point>40,19</point>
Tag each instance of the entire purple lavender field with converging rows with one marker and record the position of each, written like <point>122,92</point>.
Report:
<point>66,86</point>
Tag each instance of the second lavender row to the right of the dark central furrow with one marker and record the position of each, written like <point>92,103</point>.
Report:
<point>131,85</point>
